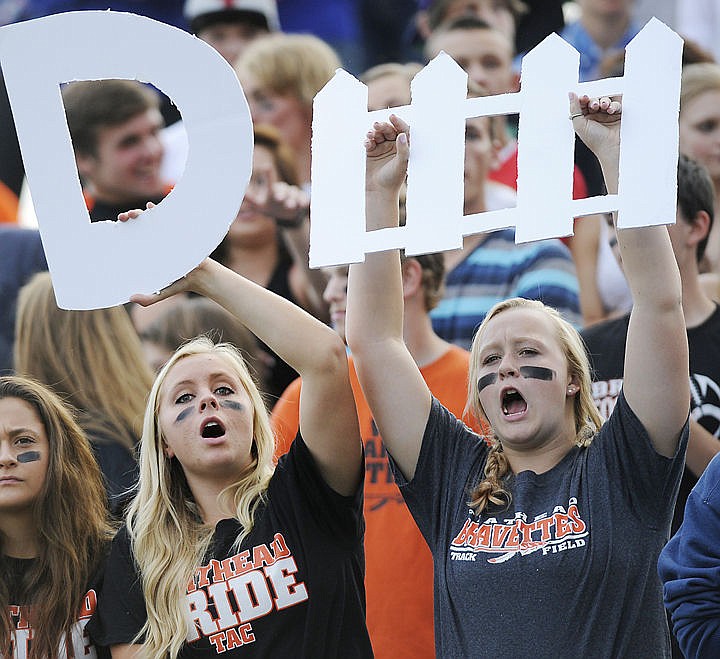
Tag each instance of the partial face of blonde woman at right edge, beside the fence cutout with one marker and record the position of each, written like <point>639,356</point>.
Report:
<point>700,131</point>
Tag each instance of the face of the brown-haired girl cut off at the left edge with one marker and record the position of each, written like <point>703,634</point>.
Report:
<point>24,456</point>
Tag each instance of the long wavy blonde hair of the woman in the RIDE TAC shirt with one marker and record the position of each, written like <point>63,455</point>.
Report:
<point>169,540</point>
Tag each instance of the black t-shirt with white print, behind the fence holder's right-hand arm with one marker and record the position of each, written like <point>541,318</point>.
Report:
<point>606,348</point>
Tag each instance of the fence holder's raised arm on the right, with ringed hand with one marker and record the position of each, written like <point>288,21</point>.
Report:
<point>656,355</point>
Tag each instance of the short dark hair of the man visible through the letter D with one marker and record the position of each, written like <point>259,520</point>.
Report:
<point>94,104</point>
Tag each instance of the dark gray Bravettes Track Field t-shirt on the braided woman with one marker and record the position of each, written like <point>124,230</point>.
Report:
<point>569,569</point>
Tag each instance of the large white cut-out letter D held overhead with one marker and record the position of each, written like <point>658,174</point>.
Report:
<point>102,264</point>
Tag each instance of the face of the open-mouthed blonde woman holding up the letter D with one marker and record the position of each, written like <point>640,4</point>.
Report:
<point>206,418</point>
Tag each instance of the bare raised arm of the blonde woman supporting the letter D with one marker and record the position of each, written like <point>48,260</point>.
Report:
<point>328,420</point>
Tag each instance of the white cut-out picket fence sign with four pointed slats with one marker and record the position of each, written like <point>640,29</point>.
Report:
<point>545,208</point>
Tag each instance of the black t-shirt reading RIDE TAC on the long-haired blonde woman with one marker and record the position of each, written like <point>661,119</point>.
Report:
<point>293,589</point>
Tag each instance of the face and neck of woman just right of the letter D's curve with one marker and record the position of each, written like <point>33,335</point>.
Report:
<point>252,226</point>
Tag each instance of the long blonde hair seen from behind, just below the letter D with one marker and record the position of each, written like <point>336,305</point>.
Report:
<point>92,359</point>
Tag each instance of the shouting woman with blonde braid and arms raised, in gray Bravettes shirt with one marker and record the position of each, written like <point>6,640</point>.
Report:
<point>562,515</point>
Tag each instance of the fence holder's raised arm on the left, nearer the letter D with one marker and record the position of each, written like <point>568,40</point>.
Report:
<point>391,381</point>
